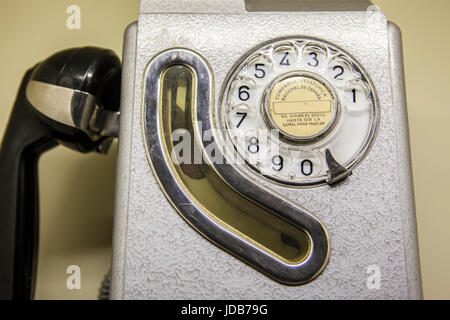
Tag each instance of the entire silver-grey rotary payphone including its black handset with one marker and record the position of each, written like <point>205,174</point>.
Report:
<point>276,130</point>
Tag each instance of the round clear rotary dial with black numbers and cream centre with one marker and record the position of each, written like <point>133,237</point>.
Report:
<point>299,111</point>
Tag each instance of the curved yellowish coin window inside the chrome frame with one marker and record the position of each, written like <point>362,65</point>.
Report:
<point>222,203</point>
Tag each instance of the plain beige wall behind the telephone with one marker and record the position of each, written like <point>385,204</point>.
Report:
<point>77,191</point>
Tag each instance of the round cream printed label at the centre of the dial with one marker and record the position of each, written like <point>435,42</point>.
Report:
<point>301,107</point>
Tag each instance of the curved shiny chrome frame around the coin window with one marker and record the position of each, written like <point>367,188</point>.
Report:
<point>188,208</point>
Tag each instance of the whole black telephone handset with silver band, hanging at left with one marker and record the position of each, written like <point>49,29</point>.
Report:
<point>71,98</point>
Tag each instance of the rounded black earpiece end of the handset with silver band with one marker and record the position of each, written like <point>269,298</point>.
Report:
<point>75,92</point>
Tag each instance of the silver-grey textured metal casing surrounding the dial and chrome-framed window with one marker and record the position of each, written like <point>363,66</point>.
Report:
<point>370,217</point>
